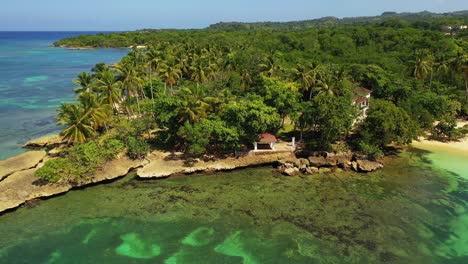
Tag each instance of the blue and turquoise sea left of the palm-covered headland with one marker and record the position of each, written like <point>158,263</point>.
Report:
<point>35,79</point>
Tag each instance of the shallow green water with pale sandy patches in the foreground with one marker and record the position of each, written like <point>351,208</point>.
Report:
<point>413,211</point>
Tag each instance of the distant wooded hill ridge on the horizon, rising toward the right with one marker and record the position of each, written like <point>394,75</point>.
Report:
<point>425,19</point>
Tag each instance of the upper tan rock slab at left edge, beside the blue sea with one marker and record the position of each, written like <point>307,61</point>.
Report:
<point>21,162</point>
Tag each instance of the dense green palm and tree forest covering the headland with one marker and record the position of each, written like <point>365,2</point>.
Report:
<point>200,91</point>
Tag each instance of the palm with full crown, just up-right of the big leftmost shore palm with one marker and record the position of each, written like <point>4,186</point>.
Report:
<point>109,89</point>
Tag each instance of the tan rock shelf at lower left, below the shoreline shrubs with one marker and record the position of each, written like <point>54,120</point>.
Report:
<point>23,186</point>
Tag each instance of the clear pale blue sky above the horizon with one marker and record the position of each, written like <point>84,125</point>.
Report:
<point>137,14</point>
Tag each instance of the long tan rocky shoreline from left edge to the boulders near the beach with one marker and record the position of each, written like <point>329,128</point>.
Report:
<point>18,185</point>
